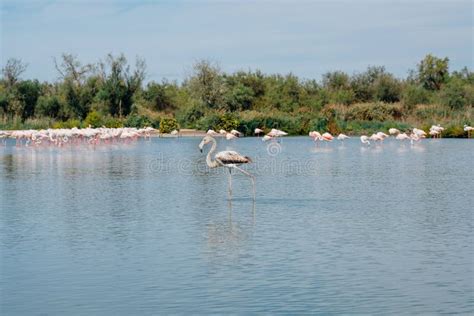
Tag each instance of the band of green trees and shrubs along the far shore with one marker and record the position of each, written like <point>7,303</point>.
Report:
<point>112,93</point>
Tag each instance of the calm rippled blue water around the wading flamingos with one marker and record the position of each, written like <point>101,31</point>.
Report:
<point>145,228</point>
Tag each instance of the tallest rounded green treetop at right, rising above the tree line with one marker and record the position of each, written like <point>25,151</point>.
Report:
<point>433,72</point>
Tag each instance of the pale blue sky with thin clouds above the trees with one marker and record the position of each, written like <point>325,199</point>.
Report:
<point>306,38</point>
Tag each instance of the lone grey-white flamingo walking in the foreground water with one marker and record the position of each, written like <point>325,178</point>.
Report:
<point>229,159</point>
